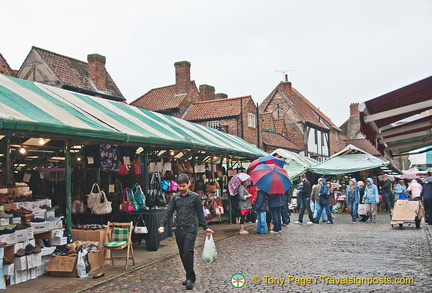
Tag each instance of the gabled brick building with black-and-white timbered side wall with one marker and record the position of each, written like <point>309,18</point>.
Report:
<point>309,130</point>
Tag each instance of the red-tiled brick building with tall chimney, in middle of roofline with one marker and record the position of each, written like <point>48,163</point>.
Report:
<point>236,116</point>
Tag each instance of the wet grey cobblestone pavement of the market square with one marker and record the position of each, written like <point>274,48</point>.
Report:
<point>300,254</point>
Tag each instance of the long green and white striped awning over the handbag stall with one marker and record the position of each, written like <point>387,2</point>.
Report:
<point>27,106</point>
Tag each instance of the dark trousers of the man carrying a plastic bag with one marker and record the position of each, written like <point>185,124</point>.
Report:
<point>185,238</point>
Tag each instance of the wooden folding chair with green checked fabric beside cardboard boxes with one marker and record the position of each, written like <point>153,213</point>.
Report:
<point>118,237</point>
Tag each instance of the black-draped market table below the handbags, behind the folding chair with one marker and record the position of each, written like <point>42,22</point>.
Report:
<point>152,218</point>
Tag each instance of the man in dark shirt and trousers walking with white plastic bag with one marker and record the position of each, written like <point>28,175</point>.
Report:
<point>187,205</point>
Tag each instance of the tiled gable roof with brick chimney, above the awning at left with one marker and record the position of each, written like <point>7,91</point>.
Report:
<point>90,78</point>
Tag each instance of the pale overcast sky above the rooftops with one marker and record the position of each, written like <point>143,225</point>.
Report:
<point>337,51</point>
